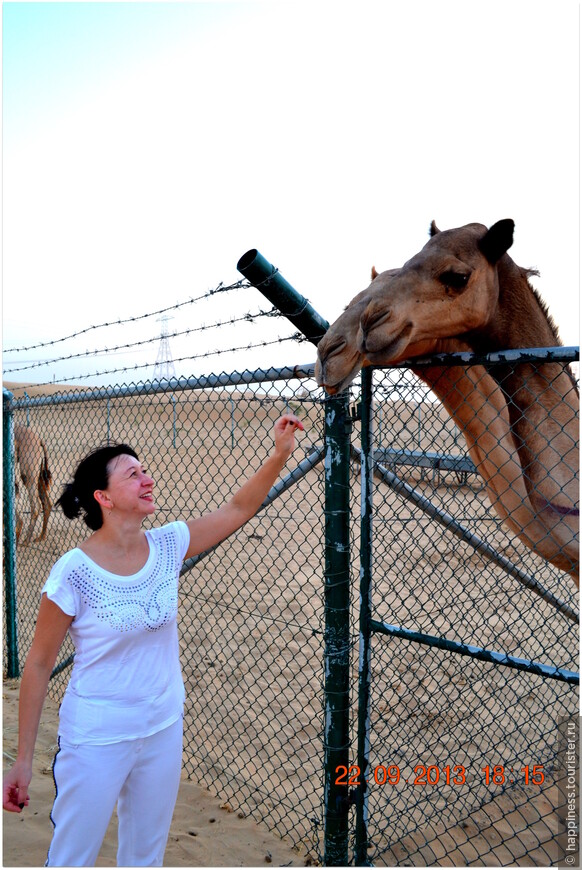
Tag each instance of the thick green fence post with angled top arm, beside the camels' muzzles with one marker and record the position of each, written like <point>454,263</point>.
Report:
<point>297,309</point>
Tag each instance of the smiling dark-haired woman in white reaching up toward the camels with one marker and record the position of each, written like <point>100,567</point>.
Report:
<point>120,722</point>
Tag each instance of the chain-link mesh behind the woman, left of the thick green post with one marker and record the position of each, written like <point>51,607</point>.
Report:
<point>250,611</point>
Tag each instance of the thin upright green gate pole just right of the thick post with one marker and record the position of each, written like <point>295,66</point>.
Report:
<point>367,465</point>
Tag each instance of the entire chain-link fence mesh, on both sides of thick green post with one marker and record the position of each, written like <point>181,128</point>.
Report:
<point>463,754</point>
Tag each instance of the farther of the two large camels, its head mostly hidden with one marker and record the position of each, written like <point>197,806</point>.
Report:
<point>478,406</point>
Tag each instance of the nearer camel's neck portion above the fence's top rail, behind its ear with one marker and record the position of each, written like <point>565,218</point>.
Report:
<point>520,319</point>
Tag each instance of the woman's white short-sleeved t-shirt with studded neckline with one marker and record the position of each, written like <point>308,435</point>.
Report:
<point>126,681</point>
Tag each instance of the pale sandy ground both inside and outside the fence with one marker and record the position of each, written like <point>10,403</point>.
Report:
<point>265,681</point>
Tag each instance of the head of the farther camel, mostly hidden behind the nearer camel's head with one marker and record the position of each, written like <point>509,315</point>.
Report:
<point>338,358</point>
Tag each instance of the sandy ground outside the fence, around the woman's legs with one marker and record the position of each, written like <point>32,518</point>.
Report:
<point>205,831</point>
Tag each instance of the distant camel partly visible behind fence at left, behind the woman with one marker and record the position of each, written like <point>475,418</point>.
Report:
<point>32,459</point>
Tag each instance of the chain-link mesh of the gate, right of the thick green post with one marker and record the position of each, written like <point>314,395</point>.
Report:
<point>464,756</point>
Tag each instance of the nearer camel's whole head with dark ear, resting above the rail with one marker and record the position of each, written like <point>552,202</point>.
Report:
<point>448,289</point>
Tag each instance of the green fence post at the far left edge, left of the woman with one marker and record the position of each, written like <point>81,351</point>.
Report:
<point>12,664</point>
